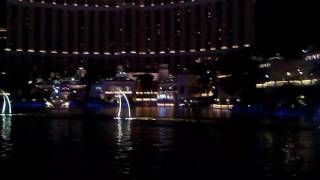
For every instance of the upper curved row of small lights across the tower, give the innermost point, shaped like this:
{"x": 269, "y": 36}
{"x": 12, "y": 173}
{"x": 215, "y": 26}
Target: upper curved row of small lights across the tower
{"x": 109, "y": 3}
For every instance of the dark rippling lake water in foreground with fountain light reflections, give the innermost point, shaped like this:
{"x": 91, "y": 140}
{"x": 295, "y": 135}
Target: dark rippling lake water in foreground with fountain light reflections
{"x": 86, "y": 147}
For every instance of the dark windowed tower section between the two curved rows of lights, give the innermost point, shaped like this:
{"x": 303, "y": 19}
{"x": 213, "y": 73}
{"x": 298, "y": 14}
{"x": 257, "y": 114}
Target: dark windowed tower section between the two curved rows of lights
{"x": 96, "y": 31}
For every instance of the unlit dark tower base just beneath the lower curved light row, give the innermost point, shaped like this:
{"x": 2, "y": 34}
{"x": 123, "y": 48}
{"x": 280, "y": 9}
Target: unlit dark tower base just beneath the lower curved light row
{"x": 33, "y": 63}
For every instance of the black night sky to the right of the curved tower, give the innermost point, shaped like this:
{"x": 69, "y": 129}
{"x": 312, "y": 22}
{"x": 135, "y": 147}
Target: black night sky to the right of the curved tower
{"x": 287, "y": 25}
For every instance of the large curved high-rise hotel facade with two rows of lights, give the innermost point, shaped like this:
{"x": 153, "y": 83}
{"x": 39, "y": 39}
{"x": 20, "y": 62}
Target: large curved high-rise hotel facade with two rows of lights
{"x": 61, "y": 35}
